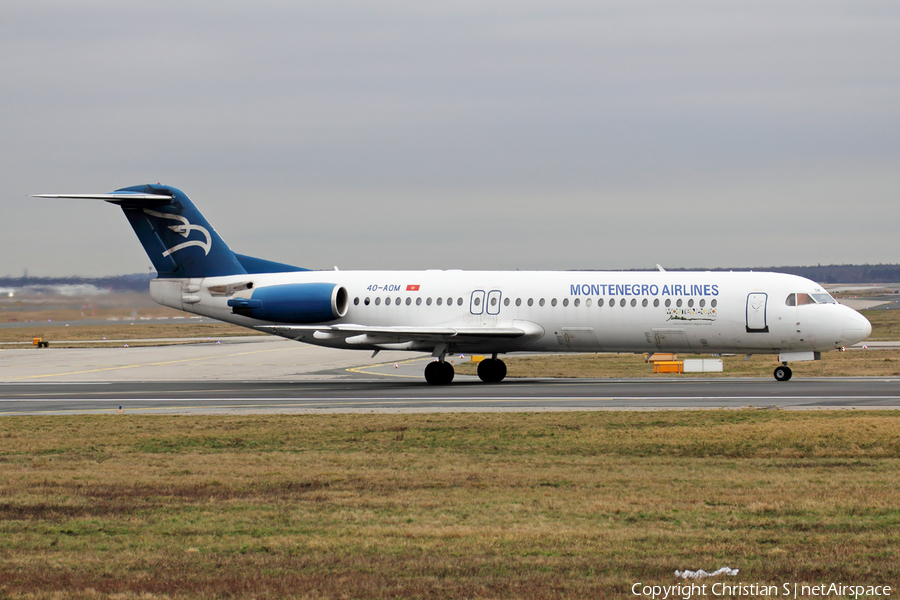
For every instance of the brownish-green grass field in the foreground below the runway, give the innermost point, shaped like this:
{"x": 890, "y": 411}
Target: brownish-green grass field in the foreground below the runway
{"x": 554, "y": 505}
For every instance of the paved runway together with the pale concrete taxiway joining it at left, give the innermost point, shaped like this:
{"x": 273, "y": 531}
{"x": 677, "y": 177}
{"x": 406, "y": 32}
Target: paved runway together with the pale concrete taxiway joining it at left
{"x": 272, "y": 375}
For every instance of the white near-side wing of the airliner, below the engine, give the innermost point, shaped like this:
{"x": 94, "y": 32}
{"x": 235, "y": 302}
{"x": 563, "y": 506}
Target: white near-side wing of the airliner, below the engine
{"x": 365, "y": 335}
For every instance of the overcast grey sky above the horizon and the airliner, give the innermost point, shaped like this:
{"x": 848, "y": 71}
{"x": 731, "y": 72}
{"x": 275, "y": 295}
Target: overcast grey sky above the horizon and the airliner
{"x": 474, "y": 135}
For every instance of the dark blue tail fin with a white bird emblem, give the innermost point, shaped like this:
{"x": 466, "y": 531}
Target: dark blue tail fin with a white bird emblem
{"x": 177, "y": 238}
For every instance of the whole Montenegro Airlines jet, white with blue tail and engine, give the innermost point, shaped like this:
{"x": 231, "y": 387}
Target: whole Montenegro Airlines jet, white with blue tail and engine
{"x": 483, "y": 312}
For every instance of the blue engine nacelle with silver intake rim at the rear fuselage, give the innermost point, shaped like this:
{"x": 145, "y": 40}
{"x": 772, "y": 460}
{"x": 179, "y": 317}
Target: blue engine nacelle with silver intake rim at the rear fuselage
{"x": 294, "y": 303}
